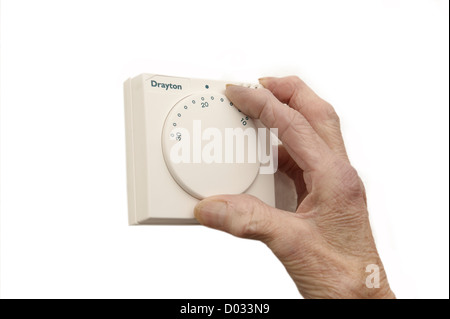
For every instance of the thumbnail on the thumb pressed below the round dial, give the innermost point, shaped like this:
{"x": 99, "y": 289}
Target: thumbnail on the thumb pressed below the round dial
{"x": 211, "y": 213}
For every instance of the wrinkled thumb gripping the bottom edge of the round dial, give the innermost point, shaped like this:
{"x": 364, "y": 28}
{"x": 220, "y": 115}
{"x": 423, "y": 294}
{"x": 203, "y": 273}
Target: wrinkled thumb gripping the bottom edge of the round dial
{"x": 246, "y": 216}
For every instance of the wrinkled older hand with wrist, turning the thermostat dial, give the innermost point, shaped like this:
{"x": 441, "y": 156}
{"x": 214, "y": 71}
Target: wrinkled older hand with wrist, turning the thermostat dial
{"x": 327, "y": 244}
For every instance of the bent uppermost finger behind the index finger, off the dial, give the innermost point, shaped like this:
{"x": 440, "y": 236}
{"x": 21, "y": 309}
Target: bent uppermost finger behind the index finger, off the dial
{"x": 319, "y": 113}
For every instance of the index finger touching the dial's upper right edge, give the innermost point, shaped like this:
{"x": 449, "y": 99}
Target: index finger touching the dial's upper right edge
{"x": 306, "y": 148}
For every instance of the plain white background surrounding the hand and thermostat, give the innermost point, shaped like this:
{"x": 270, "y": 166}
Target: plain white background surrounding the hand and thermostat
{"x": 382, "y": 64}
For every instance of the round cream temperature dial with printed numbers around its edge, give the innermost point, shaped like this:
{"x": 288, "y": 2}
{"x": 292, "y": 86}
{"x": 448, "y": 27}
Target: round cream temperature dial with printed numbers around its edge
{"x": 209, "y": 146}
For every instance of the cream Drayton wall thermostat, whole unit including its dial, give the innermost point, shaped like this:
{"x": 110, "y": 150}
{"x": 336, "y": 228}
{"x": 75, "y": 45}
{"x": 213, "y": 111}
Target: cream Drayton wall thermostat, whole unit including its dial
{"x": 186, "y": 141}
